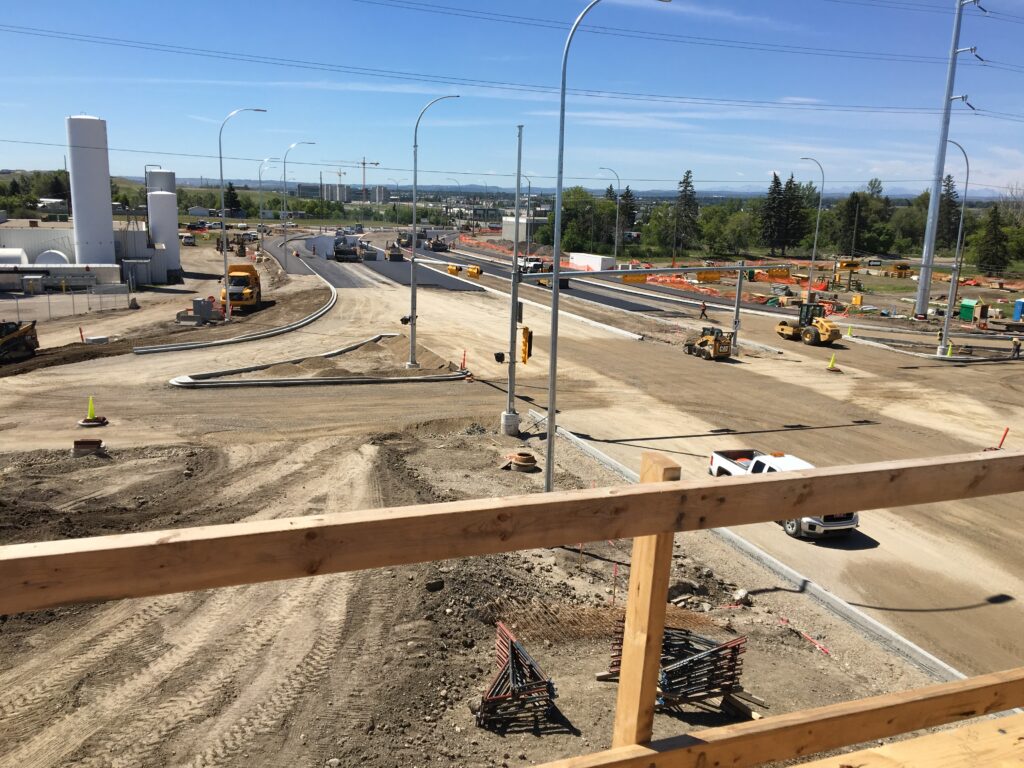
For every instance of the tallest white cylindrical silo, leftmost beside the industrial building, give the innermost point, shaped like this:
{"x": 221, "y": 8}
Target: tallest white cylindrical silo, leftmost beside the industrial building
{"x": 91, "y": 191}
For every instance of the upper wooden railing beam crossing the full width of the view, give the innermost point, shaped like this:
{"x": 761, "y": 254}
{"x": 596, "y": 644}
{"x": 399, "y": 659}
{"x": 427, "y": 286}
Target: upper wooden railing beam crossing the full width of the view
{"x": 51, "y": 574}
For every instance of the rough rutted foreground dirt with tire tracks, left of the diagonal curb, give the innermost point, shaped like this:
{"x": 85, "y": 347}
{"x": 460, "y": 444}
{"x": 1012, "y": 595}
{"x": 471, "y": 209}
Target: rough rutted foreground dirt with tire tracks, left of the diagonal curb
{"x": 377, "y": 668}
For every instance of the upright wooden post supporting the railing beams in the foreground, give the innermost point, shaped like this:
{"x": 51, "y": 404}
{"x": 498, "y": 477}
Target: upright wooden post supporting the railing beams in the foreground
{"x": 645, "y": 620}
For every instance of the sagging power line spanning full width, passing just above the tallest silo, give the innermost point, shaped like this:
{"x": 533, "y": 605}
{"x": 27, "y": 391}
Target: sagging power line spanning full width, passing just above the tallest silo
{"x": 484, "y": 84}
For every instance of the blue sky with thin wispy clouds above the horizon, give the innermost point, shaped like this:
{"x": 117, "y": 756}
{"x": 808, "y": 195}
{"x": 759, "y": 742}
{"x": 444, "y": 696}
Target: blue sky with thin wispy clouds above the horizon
{"x": 163, "y": 102}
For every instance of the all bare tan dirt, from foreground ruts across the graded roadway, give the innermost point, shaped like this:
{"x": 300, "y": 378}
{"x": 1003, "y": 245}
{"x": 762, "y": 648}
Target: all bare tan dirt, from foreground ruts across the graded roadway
{"x": 371, "y": 667}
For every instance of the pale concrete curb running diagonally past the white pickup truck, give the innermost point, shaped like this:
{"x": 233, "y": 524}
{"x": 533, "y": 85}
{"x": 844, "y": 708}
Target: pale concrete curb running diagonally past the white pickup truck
{"x": 874, "y": 629}
